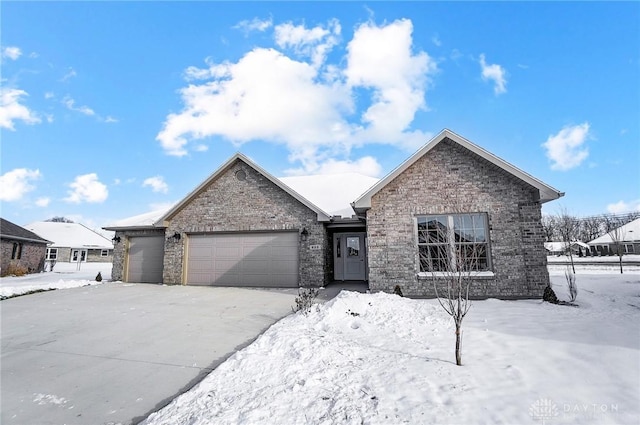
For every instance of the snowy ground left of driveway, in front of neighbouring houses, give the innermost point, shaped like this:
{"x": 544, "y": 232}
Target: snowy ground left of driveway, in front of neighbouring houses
{"x": 64, "y": 275}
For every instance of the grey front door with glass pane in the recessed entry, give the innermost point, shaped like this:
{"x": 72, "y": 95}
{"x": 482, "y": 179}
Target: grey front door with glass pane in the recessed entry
{"x": 349, "y": 256}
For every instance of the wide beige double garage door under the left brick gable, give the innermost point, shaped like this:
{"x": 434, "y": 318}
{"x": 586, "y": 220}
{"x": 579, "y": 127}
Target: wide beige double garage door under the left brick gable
{"x": 243, "y": 259}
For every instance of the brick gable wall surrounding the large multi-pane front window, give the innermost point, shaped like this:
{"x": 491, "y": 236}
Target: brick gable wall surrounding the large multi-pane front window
{"x": 451, "y": 179}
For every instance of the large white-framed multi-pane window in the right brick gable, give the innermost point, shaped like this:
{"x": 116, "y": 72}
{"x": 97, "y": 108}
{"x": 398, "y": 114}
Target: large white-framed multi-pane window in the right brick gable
{"x": 453, "y": 243}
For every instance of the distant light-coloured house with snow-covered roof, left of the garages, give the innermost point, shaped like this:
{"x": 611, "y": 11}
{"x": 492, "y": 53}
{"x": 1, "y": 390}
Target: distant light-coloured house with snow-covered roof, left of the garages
{"x": 73, "y": 242}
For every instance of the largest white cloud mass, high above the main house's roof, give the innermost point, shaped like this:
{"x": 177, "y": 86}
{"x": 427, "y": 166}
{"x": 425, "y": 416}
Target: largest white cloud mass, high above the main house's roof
{"x": 303, "y": 102}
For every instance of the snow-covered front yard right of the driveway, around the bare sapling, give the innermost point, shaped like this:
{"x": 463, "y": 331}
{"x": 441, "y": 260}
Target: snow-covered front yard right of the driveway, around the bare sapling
{"x": 382, "y": 359}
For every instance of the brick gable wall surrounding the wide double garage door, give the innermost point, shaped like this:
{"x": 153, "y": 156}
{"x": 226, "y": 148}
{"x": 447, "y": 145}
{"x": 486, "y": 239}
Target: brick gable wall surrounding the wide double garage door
{"x": 252, "y": 204}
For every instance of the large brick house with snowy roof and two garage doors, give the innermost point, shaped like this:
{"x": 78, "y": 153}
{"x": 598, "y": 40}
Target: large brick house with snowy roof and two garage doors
{"x": 244, "y": 227}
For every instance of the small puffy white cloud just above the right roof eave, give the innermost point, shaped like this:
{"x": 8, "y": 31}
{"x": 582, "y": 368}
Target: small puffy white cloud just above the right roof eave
{"x": 566, "y": 149}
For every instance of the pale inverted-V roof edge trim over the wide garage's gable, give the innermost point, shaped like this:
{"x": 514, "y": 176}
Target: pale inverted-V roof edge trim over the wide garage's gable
{"x": 322, "y": 215}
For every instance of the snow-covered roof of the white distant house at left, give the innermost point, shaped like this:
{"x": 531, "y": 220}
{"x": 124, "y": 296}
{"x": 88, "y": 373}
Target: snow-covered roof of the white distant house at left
{"x": 70, "y": 235}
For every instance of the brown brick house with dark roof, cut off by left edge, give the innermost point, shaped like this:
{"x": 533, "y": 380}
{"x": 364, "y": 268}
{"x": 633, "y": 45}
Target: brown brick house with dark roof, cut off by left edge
{"x": 22, "y": 250}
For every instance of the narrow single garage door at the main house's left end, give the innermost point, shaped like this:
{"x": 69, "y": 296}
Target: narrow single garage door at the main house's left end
{"x": 146, "y": 258}
